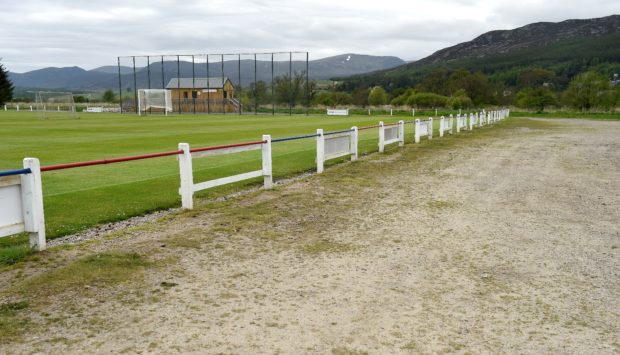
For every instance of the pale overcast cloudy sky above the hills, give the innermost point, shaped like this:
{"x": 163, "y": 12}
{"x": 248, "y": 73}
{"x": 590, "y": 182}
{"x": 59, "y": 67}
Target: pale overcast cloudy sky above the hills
{"x": 62, "y": 33}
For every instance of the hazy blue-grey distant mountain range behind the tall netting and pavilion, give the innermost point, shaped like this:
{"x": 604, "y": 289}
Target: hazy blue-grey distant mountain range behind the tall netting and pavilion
{"x": 106, "y": 77}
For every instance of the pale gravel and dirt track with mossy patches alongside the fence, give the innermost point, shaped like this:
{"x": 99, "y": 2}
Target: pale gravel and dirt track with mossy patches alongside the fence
{"x": 506, "y": 241}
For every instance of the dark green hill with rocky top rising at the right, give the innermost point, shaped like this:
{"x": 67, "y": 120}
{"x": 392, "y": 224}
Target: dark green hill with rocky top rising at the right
{"x": 566, "y": 48}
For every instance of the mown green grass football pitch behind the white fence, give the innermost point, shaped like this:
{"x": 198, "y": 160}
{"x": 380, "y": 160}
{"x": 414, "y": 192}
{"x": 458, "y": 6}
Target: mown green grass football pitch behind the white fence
{"x": 76, "y": 199}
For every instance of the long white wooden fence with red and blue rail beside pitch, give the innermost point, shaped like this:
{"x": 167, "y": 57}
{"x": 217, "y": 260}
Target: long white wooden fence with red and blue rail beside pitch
{"x": 21, "y": 195}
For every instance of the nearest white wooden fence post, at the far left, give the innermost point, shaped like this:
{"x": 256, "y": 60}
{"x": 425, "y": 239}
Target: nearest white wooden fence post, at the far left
{"x": 32, "y": 202}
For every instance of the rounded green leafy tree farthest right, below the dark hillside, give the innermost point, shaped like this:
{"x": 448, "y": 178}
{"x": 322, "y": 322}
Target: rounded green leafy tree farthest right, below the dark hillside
{"x": 589, "y": 90}
